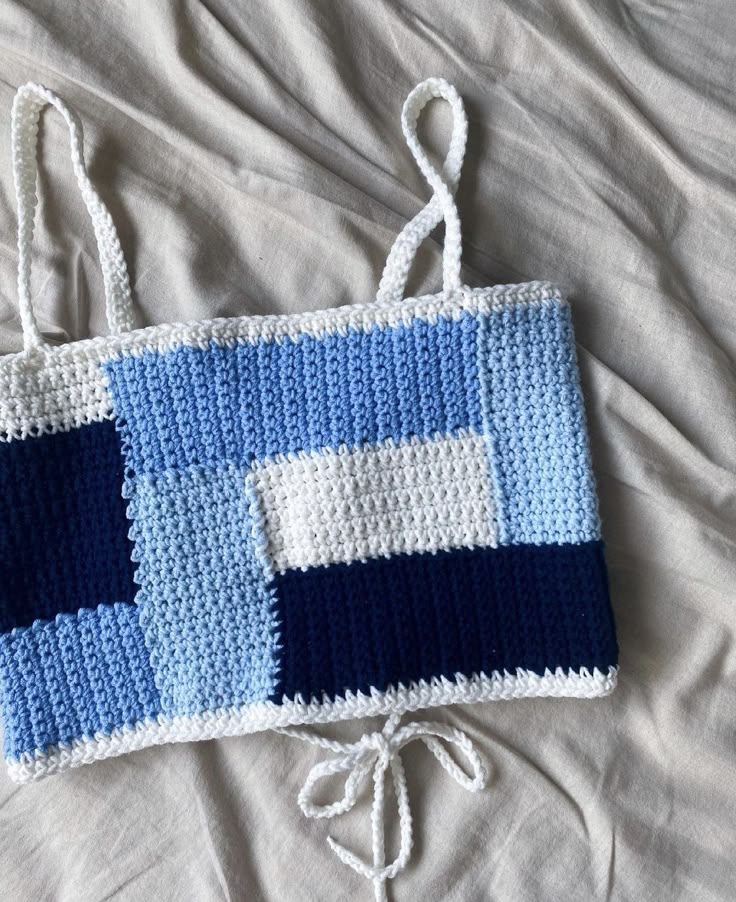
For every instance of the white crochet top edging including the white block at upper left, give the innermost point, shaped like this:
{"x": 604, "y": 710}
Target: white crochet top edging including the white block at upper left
{"x": 51, "y": 389}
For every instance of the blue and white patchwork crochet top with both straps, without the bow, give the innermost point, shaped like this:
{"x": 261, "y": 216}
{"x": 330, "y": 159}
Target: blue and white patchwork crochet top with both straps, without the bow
{"x": 226, "y": 526}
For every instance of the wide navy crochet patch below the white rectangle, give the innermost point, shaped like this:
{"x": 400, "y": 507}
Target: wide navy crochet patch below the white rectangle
{"x": 377, "y": 623}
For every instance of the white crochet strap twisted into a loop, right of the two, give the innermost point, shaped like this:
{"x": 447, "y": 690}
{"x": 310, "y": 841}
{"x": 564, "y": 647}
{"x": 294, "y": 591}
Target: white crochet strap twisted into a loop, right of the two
{"x": 442, "y": 204}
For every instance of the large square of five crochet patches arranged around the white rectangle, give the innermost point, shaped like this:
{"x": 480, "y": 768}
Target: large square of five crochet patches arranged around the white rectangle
{"x": 316, "y": 456}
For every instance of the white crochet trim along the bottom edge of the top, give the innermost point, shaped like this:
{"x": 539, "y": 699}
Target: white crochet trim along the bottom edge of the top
{"x": 268, "y": 715}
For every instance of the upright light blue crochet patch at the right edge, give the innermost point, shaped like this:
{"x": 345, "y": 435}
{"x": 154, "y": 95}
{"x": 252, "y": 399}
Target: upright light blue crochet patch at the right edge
{"x": 534, "y": 419}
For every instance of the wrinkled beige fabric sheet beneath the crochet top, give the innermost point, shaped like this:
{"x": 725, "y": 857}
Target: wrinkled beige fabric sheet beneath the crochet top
{"x": 252, "y": 158}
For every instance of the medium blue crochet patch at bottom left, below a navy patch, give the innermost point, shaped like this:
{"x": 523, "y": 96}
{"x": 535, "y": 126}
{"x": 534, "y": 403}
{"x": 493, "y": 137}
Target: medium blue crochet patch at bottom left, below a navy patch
{"x": 74, "y": 676}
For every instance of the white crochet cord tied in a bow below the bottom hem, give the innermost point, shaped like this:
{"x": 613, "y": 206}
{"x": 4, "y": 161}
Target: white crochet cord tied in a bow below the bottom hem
{"x": 380, "y": 752}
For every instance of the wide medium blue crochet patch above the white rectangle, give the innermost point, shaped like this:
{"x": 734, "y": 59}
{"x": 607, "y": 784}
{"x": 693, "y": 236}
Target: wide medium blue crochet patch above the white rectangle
{"x": 192, "y": 406}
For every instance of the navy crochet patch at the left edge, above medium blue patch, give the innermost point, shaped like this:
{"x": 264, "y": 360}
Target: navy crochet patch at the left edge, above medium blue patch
{"x": 63, "y": 530}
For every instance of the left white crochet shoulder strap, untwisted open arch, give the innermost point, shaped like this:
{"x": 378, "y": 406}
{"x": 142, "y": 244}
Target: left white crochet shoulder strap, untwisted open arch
{"x": 29, "y": 101}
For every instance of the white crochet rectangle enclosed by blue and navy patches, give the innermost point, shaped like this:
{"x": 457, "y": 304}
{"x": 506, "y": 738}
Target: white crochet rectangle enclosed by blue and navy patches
{"x": 347, "y": 505}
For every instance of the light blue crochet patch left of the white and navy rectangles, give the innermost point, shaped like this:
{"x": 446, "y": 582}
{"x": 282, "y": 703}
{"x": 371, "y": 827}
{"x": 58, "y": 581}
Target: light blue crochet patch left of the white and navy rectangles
{"x": 205, "y": 608}
